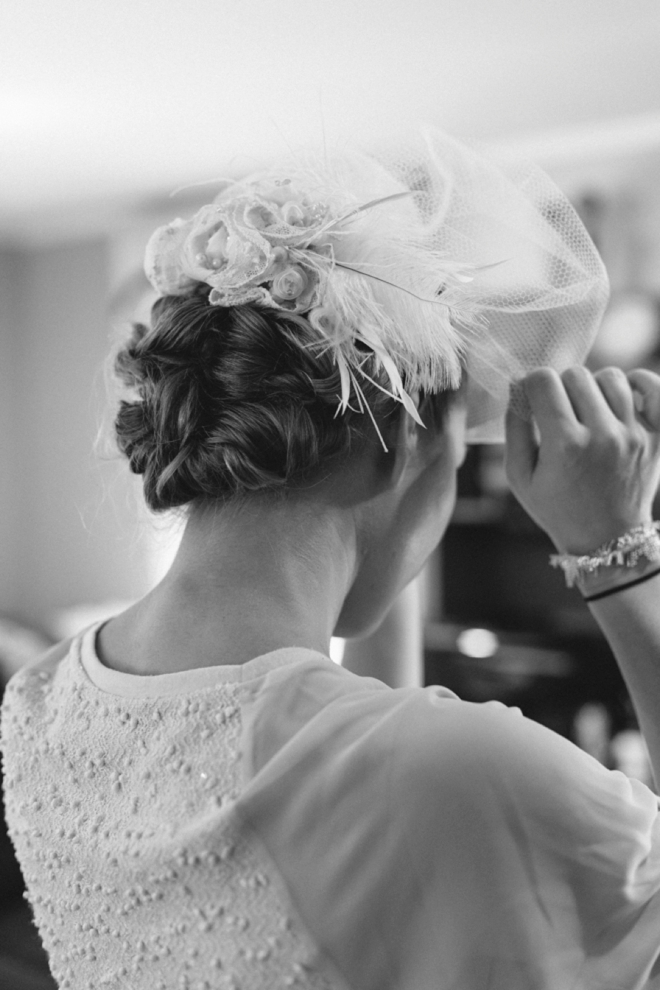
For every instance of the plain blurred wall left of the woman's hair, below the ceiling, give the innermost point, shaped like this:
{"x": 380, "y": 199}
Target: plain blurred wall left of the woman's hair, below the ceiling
{"x": 68, "y": 529}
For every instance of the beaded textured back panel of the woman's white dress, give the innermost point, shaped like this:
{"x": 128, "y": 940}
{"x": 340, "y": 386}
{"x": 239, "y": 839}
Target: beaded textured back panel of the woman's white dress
{"x": 139, "y": 871}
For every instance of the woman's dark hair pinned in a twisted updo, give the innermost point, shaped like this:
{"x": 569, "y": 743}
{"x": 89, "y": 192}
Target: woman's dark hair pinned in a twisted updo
{"x": 231, "y": 400}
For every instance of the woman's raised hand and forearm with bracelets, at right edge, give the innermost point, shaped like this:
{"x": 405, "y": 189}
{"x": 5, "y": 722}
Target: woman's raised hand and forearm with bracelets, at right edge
{"x": 587, "y": 469}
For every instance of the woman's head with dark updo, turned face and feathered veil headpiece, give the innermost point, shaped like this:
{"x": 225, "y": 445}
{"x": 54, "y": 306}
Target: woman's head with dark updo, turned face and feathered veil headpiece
{"x": 306, "y": 310}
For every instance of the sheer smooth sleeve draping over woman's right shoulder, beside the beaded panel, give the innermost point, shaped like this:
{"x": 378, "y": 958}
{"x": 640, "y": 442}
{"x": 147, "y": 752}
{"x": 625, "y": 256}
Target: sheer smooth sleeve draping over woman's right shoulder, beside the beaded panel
{"x": 431, "y": 842}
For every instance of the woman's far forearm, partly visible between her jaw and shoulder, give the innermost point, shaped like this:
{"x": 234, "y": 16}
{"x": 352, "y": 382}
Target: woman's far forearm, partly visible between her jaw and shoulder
{"x": 394, "y": 653}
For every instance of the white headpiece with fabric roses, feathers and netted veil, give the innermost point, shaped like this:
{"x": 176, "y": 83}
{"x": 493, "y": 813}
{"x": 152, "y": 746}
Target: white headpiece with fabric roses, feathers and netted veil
{"x": 423, "y": 256}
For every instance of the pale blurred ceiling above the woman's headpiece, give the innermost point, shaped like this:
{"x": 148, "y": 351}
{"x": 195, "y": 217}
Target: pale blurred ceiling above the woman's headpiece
{"x": 108, "y": 105}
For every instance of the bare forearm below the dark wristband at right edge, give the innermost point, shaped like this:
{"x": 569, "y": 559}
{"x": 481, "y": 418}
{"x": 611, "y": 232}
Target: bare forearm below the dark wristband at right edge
{"x": 630, "y": 620}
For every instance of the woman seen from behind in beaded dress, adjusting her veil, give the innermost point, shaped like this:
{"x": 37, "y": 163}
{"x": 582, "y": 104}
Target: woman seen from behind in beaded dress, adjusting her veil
{"x": 197, "y": 795}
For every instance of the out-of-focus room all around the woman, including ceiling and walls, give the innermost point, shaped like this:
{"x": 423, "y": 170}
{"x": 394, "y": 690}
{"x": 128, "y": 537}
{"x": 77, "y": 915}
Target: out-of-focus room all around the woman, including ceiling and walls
{"x": 107, "y": 108}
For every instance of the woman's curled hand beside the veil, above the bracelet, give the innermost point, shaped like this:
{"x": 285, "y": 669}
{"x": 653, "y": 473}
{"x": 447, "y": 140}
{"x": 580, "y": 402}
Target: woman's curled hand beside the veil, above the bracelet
{"x": 591, "y": 471}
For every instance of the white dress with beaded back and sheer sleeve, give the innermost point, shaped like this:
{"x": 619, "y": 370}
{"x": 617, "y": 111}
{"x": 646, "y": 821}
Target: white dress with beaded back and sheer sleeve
{"x": 285, "y": 823}
